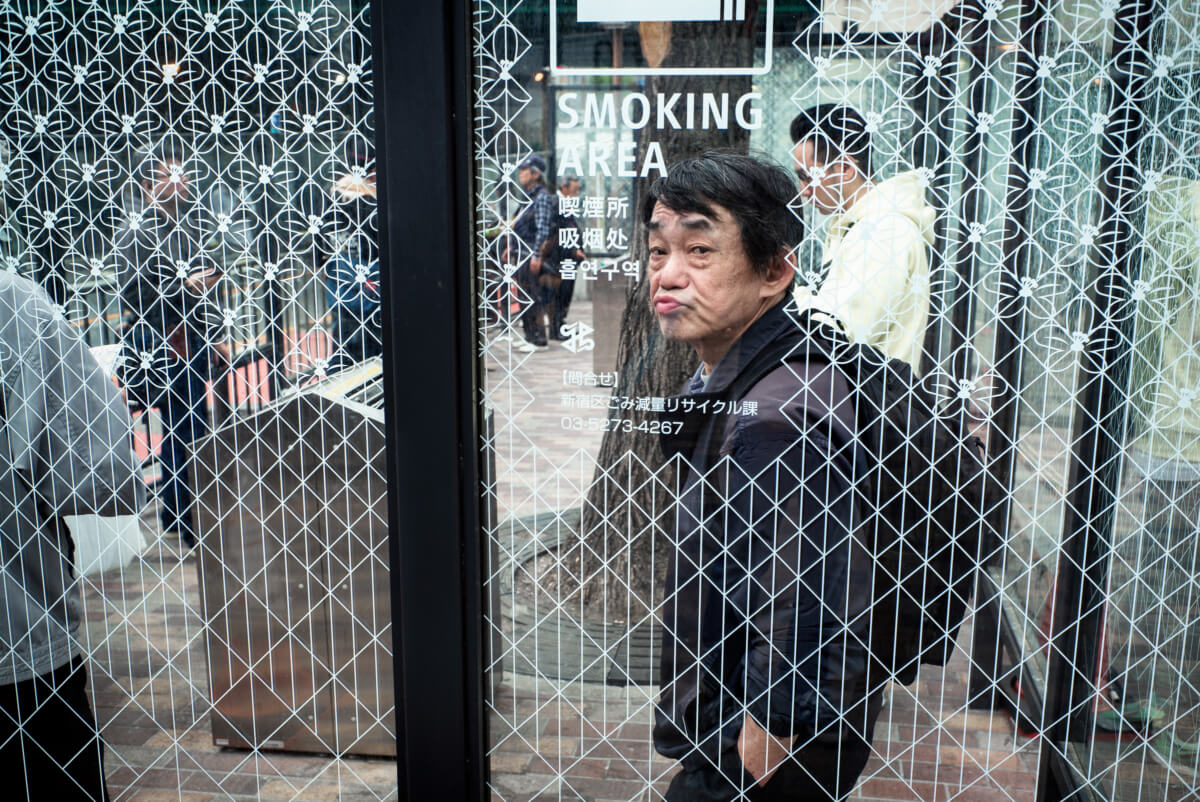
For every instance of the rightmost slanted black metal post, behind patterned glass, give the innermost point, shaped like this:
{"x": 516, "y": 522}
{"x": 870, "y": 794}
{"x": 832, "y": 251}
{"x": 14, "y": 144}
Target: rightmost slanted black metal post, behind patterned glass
{"x": 1084, "y": 560}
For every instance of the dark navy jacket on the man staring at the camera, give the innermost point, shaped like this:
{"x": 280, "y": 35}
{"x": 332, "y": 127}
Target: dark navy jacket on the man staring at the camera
{"x": 770, "y": 588}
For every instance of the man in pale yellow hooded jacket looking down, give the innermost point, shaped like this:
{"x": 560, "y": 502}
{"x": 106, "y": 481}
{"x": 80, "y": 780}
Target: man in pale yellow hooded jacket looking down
{"x": 877, "y": 253}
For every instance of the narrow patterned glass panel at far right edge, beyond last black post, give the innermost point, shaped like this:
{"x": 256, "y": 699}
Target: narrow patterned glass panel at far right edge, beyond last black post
{"x": 1149, "y": 659}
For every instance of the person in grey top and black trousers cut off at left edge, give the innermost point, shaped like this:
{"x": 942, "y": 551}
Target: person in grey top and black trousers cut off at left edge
{"x": 65, "y": 450}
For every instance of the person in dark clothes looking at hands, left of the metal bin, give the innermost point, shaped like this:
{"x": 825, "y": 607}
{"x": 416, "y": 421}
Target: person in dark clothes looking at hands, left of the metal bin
{"x": 171, "y": 348}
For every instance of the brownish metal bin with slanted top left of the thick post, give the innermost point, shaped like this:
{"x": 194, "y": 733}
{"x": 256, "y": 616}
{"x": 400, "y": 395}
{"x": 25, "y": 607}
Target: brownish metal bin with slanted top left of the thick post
{"x": 293, "y": 559}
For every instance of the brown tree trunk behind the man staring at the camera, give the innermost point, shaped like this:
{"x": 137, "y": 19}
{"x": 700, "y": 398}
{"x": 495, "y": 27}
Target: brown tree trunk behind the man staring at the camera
{"x": 628, "y": 517}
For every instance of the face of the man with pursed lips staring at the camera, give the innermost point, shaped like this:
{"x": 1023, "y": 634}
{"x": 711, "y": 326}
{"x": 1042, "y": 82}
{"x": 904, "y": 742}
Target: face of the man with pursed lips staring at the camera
{"x": 704, "y": 290}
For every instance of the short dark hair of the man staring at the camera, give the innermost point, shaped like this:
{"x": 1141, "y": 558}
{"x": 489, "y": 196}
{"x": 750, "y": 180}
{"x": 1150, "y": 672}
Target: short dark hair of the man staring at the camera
{"x": 757, "y": 193}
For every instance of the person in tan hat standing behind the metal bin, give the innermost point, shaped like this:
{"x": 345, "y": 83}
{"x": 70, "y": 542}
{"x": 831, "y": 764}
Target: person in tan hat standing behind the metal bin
{"x": 352, "y": 265}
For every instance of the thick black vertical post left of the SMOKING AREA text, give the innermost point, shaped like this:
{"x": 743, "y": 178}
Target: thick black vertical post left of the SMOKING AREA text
{"x": 423, "y": 80}
